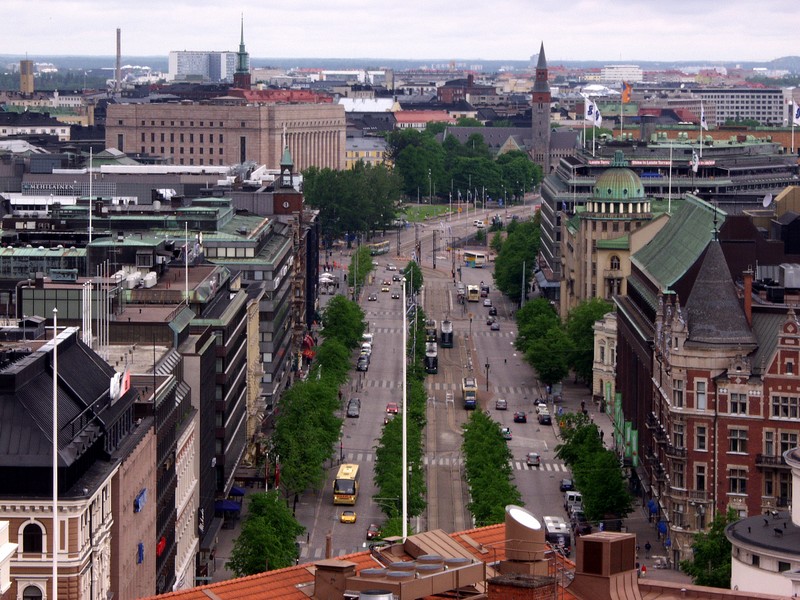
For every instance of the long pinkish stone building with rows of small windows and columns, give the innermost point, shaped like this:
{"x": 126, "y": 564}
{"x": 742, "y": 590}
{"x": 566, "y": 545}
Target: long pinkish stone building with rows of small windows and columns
{"x": 218, "y": 133}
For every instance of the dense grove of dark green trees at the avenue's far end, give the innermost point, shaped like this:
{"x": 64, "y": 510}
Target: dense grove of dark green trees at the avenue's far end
{"x": 364, "y": 199}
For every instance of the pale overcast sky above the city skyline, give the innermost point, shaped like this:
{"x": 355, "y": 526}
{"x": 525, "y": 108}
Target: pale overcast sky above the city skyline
{"x": 705, "y": 31}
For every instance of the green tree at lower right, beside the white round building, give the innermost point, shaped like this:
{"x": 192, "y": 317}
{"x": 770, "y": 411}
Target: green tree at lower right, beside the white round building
{"x": 711, "y": 562}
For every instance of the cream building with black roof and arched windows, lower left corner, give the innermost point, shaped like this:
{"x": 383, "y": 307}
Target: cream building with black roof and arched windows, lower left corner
{"x": 98, "y": 437}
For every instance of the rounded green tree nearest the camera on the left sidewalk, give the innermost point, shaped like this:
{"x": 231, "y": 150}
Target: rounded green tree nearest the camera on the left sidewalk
{"x": 268, "y": 536}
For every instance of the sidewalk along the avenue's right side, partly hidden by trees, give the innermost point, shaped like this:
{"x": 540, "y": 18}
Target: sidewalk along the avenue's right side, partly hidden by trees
{"x": 572, "y": 395}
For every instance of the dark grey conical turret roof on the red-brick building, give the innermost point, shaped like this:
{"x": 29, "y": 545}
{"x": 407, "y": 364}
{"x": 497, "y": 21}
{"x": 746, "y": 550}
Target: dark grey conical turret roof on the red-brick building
{"x": 715, "y": 316}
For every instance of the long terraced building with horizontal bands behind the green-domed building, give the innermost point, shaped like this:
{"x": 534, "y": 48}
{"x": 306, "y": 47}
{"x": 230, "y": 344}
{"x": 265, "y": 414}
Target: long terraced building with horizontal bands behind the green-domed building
{"x": 736, "y": 172}
